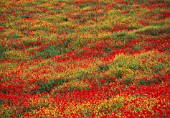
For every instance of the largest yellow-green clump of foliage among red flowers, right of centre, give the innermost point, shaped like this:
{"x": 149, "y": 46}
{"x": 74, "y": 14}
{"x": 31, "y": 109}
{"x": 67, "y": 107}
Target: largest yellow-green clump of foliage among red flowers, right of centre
{"x": 130, "y": 68}
